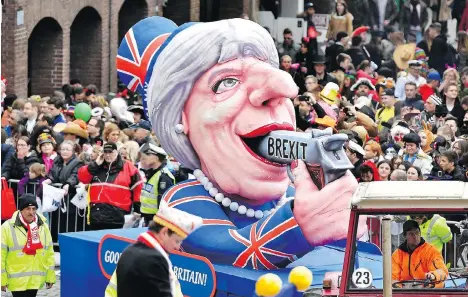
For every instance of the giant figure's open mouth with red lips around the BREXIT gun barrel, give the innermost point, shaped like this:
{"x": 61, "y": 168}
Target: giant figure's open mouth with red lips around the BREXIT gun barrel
{"x": 252, "y": 140}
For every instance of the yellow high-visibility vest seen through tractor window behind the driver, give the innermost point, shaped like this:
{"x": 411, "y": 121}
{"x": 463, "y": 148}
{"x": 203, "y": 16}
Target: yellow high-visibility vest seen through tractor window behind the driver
{"x": 436, "y": 232}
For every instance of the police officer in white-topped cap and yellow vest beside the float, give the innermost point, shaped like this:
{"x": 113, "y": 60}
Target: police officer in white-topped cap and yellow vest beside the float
{"x": 158, "y": 179}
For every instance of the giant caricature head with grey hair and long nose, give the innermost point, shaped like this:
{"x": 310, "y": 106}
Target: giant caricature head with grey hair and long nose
{"x": 225, "y": 88}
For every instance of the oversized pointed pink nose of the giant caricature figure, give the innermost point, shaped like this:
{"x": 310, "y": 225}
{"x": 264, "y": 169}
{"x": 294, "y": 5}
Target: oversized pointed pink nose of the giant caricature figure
{"x": 272, "y": 86}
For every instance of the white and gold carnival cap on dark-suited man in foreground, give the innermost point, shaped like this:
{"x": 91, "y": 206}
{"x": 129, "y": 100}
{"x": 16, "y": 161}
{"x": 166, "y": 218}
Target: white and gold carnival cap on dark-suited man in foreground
{"x": 180, "y": 222}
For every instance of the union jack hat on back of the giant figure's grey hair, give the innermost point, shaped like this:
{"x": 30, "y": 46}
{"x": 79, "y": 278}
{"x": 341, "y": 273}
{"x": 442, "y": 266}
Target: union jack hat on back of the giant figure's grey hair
{"x": 139, "y": 50}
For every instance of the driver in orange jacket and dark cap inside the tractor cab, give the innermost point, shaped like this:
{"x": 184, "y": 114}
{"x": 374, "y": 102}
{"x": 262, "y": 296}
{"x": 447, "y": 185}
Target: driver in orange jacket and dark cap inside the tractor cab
{"x": 423, "y": 260}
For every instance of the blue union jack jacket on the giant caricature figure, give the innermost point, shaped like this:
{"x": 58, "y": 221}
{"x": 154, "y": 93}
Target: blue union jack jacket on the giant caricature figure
{"x": 229, "y": 238}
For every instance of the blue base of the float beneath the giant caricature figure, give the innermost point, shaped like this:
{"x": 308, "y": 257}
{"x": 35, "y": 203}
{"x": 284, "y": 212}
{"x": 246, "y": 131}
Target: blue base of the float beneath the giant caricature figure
{"x": 81, "y": 274}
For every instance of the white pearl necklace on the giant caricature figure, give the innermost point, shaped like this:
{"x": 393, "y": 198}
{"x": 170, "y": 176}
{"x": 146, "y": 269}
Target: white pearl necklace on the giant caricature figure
{"x": 234, "y": 206}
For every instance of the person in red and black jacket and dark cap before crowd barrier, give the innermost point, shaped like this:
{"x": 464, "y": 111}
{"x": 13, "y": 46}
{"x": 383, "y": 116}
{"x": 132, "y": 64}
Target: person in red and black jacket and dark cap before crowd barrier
{"x": 115, "y": 185}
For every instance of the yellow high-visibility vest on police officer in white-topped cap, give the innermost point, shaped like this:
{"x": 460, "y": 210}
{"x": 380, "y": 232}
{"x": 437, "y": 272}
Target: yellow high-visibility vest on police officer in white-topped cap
{"x": 149, "y": 193}
